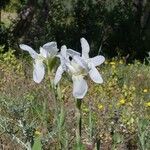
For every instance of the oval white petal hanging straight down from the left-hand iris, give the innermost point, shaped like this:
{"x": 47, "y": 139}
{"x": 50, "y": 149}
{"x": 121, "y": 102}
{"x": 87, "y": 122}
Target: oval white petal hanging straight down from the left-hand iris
{"x": 39, "y": 71}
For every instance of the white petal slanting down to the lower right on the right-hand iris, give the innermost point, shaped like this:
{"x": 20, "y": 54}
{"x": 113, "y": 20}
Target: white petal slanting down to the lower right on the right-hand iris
{"x": 95, "y": 75}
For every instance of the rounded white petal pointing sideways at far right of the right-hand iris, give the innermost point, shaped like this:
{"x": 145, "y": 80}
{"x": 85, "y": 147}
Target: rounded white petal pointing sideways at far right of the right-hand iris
{"x": 98, "y": 60}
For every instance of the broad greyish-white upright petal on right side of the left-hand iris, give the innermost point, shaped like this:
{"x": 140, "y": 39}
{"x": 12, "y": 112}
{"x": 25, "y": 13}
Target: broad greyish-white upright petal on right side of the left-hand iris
{"x": 51, "y": 48}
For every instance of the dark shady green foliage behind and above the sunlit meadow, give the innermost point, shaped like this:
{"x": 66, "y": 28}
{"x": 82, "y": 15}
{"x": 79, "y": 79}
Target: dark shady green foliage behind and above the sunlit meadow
{"x": 113, "y": 27}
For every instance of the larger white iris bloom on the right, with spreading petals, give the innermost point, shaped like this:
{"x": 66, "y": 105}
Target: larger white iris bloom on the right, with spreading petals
{"x": 79, "y": 67}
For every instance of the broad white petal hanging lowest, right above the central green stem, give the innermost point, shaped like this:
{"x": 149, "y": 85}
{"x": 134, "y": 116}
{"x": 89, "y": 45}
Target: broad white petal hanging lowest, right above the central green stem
{"x": 80, "y": 87}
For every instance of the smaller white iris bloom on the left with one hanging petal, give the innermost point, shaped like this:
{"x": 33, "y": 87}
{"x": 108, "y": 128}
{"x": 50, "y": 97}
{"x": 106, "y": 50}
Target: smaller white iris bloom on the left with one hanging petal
{"x": 48, "y": 50}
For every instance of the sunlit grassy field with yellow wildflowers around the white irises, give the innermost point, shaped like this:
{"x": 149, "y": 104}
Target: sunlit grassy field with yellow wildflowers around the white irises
{"x": 115, "y": 114}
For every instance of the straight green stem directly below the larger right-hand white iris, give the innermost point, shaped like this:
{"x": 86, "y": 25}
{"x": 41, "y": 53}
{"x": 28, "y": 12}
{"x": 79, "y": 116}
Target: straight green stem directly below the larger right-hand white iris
{"x": 79, "y": 123}
